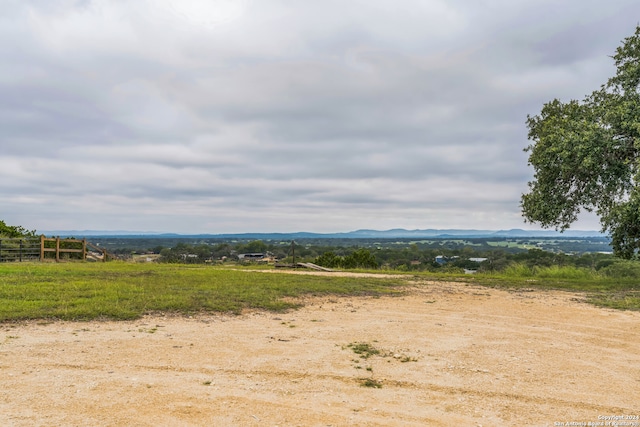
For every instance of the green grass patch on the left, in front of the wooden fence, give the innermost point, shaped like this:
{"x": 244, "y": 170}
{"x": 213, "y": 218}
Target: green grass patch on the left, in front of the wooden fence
{"x": 117, "y": 290}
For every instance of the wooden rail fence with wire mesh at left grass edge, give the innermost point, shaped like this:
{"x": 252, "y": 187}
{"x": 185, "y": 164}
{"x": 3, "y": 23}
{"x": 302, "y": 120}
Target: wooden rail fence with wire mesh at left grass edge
{"x": 49, "y": 249}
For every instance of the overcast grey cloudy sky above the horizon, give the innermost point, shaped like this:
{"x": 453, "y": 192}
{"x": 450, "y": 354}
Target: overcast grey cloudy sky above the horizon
{"x": 232, "y": 116}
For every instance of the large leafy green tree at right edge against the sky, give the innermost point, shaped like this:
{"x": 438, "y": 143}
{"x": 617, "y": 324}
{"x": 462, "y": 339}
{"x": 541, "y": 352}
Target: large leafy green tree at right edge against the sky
{"x": 586, "y": 155}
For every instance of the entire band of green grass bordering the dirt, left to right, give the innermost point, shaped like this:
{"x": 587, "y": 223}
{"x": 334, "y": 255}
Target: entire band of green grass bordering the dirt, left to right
{"x": 117, "y": 290}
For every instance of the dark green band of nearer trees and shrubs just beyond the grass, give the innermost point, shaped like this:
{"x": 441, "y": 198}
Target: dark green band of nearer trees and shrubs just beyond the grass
{"x": 410, "y": 258}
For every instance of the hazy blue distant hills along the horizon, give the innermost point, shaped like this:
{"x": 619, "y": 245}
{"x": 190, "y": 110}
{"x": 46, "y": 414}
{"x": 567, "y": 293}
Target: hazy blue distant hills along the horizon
{"x": 397, "y": 233}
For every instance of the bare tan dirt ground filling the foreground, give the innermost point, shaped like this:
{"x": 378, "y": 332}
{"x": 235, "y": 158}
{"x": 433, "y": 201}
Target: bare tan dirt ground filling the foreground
{"x": 452, "y": 354}
